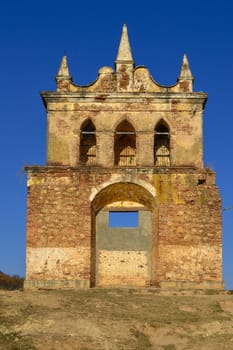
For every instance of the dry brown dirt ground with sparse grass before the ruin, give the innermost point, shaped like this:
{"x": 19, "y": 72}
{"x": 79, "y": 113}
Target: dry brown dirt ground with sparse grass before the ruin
{"x": 116, "y": 319}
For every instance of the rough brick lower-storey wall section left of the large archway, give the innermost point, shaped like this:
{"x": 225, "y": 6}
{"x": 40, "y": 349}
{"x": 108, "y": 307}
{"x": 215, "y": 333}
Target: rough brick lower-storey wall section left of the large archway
{"x": 58, "y": 244}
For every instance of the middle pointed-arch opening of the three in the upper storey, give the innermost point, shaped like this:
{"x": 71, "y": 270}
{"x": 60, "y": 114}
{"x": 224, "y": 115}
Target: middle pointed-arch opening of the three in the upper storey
{"x": 125, "y": 144}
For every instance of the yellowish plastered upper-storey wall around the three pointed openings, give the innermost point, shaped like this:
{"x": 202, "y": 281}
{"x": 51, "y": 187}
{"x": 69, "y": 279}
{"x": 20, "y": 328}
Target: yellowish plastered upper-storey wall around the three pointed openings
{"x": 183, "y": 114}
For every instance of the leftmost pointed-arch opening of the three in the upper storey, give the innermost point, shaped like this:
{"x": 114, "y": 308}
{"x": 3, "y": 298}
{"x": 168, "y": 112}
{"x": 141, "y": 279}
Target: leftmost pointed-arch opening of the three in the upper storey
{"x": 88, "y": 143}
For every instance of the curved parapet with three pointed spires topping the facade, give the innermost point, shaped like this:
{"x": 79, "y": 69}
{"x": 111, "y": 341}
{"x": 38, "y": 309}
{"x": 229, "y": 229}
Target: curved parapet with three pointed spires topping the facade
{"x": 125, "y": 77}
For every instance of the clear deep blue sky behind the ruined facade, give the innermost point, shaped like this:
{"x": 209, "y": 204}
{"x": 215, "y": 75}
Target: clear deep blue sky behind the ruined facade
{"x": 35, "y": 34}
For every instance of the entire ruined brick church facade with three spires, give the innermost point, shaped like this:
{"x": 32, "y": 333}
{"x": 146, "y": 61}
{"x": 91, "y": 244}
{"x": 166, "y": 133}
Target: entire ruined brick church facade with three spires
{"x": 121, "y": 145}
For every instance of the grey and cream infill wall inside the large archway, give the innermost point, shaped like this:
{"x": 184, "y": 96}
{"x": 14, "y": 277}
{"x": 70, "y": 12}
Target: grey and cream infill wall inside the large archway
{"x": 123, "y": 255}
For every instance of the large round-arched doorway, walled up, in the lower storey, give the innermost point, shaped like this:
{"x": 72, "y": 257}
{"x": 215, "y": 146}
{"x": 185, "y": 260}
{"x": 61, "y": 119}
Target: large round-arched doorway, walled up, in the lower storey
{"x": 123, "y": 256}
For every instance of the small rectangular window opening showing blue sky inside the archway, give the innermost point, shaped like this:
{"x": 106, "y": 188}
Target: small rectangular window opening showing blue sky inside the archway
{"x": 123, "y": 219}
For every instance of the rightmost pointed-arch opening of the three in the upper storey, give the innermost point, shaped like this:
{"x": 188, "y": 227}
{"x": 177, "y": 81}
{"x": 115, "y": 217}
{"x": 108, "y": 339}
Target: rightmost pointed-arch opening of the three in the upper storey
{"x": 162, "y": 145}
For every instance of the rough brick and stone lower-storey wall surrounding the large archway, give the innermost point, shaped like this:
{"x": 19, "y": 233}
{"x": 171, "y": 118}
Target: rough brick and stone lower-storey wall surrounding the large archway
{"x": 185, "y": 221}
